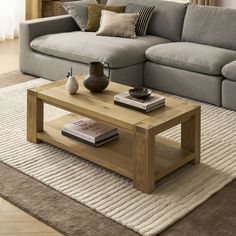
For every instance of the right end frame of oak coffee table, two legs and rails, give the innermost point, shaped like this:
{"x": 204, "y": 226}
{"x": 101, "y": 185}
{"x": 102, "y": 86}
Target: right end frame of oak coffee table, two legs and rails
{"x": 144, "y": 136}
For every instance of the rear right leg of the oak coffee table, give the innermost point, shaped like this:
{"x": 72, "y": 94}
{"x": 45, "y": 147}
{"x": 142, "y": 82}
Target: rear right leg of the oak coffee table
{"x": 190, "y": 135}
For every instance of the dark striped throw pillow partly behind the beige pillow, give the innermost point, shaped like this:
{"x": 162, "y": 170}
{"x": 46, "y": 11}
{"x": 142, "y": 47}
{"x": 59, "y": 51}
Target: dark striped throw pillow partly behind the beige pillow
{"x": 145, "y": 14}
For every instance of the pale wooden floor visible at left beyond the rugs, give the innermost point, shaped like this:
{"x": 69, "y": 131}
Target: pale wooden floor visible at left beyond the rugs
{"x": 13, "y": 221}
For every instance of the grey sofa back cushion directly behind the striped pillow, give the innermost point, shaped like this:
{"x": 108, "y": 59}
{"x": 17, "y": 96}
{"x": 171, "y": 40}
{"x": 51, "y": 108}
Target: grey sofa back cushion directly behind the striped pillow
{"x": 167, "y": 20}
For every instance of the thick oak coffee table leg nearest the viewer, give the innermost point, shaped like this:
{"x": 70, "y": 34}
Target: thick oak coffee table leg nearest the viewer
{"x": 144, "y": 166}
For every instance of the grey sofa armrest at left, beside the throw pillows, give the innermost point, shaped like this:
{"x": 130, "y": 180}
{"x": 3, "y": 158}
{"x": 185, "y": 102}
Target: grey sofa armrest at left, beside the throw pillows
{"x": 51, "y": 25}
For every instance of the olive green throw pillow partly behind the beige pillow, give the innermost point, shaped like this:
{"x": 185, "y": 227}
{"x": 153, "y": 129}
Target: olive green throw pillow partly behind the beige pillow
{"x": 94, "y": 15}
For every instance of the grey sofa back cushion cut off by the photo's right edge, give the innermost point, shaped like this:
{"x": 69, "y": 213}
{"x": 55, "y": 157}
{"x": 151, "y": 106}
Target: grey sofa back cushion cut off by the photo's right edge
{"x": 213, "y": 26}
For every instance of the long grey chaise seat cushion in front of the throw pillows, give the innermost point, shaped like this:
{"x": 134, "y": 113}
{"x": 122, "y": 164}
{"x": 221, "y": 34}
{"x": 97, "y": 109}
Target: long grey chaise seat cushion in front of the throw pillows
{"x": 85, "y": 47}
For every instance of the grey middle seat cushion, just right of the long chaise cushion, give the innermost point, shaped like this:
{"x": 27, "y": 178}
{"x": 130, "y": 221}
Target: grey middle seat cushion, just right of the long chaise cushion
{"x": 192, "y": 57}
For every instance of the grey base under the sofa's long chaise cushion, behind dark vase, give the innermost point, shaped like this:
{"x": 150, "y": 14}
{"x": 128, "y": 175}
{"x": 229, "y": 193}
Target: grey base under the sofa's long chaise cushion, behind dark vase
{"x": 54, "y": 68}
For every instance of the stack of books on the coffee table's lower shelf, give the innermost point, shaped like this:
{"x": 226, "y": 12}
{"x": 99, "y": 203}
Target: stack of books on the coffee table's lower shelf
{"x": 90, "y": 132}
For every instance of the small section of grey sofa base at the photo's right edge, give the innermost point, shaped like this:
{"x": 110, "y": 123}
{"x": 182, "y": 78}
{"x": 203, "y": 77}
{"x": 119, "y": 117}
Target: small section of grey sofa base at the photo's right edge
{"x": 229, "y": 94}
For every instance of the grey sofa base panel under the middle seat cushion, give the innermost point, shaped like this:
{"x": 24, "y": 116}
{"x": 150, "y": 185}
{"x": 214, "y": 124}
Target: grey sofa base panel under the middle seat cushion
{"x": 202, "y": 87}
